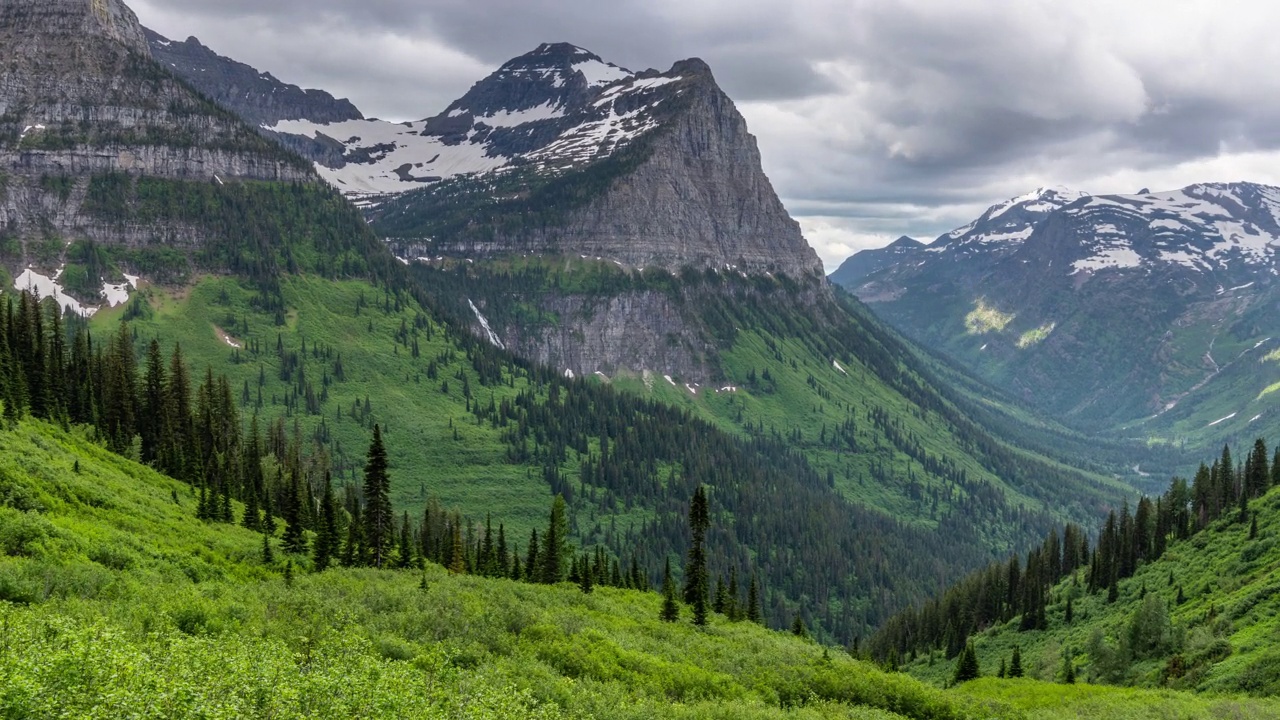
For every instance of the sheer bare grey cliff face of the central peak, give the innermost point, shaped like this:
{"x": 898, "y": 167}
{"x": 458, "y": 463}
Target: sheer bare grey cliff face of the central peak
{"x": 700, "y": 198}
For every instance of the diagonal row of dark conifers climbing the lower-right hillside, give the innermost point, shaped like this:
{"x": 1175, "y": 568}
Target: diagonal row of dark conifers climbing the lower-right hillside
{"x": 1021, "y": 589}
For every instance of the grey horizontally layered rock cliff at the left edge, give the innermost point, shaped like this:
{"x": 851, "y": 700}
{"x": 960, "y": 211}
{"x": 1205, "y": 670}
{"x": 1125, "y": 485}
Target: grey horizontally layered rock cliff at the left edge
{"x": 83, "y": 101}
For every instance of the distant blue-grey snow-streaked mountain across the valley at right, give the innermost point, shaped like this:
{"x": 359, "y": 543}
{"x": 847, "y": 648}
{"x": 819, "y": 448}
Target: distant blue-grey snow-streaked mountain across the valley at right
{"x": 1153, "y": 309}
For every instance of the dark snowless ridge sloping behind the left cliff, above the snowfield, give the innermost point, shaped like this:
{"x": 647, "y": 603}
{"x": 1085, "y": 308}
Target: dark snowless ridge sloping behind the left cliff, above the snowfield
{"x": 259, "y": 98}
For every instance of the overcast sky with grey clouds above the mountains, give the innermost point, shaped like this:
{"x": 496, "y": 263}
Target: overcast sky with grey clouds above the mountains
{"x": 875, "y": 119}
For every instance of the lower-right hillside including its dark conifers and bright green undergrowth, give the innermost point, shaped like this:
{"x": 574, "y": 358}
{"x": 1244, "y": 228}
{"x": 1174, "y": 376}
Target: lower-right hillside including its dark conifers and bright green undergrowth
{"x": 1182, "y": 595}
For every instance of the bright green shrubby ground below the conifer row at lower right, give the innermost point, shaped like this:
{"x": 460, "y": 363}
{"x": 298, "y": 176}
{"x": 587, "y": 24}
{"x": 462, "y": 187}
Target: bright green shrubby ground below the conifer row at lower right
{"x": 1203, "y": 617}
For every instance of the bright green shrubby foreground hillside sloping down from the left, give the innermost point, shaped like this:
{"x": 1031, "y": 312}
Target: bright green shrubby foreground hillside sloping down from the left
{"x": 115, "y": 600}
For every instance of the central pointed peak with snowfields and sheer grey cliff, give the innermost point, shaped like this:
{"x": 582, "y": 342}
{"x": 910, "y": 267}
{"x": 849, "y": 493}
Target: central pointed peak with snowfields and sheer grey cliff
{"x": 560, "y": 153}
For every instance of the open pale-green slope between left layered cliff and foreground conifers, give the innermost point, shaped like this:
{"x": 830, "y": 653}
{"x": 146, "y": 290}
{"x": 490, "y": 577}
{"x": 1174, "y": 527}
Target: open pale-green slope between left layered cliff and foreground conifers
{"x": 419, "y": 421}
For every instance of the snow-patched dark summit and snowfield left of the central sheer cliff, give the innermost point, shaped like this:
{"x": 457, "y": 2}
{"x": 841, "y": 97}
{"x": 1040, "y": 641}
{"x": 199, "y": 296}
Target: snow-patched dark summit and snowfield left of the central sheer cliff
{"x": 554, "y": 110}
